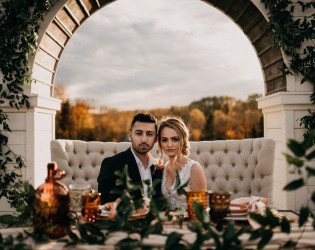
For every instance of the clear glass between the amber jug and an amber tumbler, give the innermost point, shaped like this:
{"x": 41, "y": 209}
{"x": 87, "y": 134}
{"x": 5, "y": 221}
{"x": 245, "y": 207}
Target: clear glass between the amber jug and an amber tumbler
{"x": 76, "y": 192}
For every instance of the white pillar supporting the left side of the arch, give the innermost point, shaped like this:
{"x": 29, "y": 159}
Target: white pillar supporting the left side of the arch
{"x": 32, "y": 131}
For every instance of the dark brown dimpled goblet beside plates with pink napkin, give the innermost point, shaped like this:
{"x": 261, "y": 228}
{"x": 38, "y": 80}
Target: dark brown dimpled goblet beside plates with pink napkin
{"x": 219, "y": 207}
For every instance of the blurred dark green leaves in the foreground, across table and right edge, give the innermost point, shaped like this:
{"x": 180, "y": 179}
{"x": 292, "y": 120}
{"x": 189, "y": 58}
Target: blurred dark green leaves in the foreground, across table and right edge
{"x": 203, "y": 228}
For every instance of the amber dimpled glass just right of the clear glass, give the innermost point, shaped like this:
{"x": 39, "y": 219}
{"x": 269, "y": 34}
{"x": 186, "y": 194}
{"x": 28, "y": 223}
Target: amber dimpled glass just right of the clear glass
{"x": 91, "y": 205}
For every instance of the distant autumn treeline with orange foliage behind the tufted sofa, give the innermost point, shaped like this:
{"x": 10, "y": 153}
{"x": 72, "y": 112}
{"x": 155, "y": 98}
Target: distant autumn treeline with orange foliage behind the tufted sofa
{"x": 211, "y": 118}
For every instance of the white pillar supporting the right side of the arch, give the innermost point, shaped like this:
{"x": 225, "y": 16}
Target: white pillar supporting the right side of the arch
{"x": 282, "y": 113}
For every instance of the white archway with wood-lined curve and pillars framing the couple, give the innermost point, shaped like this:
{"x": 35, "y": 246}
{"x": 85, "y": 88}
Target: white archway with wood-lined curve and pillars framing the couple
{"x": 285, "y": 101}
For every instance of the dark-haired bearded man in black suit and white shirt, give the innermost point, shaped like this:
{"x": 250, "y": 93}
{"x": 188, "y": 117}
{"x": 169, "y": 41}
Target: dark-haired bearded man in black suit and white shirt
{"x": 142, "y": 134}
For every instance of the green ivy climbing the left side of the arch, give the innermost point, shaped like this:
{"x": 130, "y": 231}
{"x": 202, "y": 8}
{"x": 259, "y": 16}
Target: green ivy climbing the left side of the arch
{"x": 19, "y": 24}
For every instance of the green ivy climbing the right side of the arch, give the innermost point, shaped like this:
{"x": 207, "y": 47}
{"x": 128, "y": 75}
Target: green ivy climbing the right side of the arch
{"x": 289, "y": 34}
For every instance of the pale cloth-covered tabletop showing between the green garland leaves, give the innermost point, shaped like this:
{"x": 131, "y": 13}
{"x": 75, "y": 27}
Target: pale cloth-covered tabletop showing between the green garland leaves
{"x": 307, "y": 240}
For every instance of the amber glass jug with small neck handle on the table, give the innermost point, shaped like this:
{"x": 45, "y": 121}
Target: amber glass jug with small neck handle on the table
{"x": 51, "y": 205}
